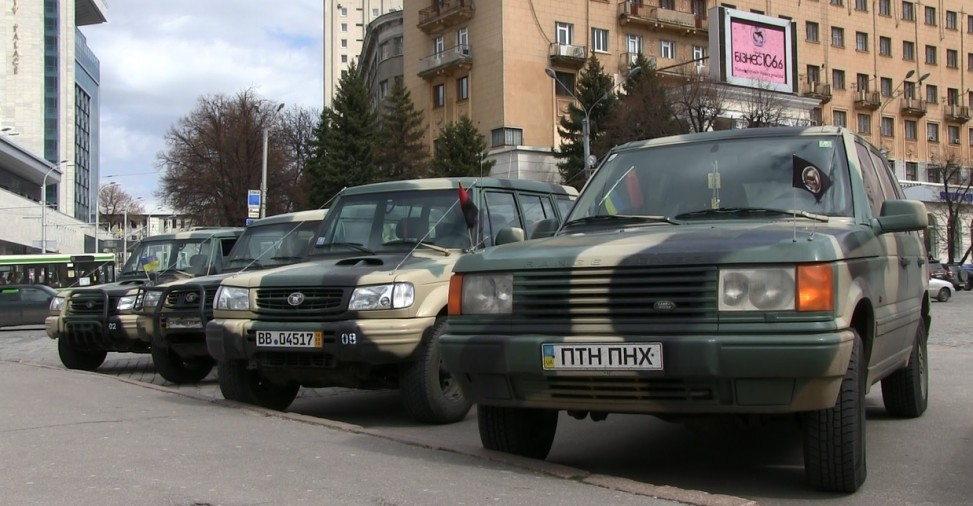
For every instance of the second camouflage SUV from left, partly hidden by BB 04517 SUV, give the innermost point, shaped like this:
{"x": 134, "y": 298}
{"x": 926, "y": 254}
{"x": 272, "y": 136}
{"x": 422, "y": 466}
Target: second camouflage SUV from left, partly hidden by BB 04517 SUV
{"x": 172, "y": 316}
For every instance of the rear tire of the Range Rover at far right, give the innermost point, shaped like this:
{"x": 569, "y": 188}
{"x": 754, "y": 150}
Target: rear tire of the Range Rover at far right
{"x": 905, "y": 392}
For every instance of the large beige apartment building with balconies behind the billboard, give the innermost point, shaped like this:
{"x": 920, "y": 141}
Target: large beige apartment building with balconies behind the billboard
{"x": 899, "y": 72}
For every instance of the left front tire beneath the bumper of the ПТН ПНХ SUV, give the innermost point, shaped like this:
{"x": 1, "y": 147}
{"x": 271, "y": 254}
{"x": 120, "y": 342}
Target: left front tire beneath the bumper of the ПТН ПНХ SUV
{"x": 520, "y": 431}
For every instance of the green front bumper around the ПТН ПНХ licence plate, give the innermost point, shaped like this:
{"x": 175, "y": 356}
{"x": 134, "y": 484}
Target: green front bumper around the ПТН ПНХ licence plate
{"x": 701, "y": 374}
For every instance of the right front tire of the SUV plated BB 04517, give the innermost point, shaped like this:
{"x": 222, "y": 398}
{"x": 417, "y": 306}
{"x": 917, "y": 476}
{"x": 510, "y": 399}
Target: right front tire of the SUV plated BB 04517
{"x": 429, "y": 392}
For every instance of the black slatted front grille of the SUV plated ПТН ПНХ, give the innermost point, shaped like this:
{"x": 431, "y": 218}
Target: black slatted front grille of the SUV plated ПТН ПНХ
{"x": 620, "y": 294}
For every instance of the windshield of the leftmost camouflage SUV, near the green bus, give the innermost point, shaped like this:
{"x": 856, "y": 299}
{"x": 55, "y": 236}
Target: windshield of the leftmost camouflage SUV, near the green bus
{"x": 189, "y": 255}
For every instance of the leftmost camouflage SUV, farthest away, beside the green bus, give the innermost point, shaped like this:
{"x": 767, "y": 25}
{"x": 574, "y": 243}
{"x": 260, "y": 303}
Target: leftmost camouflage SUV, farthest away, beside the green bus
{"x": 89, "y": 322}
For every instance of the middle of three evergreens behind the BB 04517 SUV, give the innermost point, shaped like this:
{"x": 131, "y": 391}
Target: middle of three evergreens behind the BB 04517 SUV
{"x": 402, "y": 154}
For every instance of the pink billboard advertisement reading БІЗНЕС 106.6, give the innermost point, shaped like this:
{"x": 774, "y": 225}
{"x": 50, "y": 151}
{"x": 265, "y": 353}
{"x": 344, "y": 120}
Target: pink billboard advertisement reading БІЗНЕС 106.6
{"x": 758, "y": 51}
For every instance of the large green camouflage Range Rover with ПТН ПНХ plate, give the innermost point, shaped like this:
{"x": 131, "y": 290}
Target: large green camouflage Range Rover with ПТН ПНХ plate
{"x": 758, "y": 273}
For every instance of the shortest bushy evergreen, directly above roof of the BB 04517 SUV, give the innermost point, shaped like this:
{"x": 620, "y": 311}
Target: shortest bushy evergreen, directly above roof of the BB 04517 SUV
{"x": 460, "y": 151}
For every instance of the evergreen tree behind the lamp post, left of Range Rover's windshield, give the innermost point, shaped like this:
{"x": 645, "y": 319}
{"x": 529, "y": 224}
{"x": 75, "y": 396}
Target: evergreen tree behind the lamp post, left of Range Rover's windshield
{"x": 595, "y": 94}
